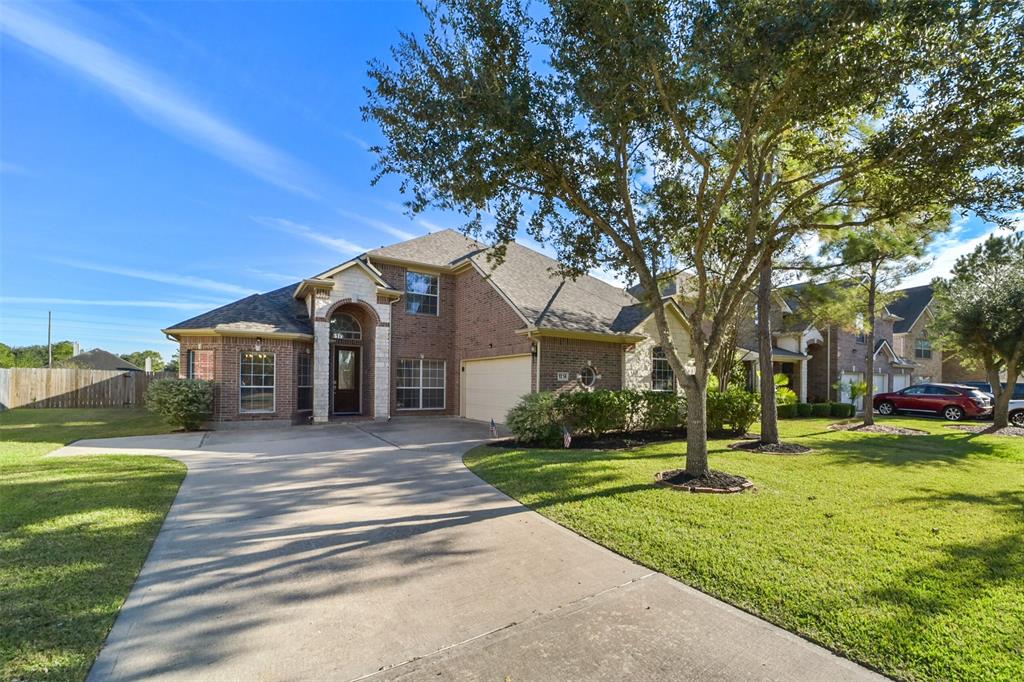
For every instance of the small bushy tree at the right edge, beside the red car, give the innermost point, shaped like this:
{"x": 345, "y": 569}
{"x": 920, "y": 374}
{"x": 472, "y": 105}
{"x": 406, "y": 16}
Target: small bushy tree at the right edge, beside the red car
{"x": 980, "y": 314}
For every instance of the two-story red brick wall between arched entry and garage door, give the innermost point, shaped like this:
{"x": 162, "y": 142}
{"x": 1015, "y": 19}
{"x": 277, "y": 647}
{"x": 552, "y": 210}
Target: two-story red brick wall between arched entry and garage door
{"x": 430, "y": 336}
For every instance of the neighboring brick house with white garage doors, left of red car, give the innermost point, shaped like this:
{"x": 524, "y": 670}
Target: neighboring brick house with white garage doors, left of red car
{"x": 816, "y": 360}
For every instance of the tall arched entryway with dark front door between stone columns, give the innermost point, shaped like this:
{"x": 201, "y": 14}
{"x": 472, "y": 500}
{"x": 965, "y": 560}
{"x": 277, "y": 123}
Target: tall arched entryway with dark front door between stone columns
{"x": 353, "y": 327}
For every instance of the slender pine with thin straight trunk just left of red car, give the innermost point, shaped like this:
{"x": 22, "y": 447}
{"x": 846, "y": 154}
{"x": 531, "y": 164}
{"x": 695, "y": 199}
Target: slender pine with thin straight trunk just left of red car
{"x": 874, "y": 261}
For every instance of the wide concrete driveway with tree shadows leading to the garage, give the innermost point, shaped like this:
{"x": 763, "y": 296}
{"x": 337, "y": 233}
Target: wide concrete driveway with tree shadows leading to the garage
{"x": 369, "y": 550}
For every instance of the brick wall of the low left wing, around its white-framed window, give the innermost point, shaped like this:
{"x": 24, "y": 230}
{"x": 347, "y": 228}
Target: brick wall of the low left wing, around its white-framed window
{"x": 226, "y": 371}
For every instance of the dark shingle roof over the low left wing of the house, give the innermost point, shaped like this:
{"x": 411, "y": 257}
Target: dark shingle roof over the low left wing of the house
{"x": 274, "y": 312}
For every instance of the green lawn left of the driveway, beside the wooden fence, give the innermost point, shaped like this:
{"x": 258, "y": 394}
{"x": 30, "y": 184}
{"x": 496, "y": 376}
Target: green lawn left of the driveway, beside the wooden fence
{"x": 74, "y": 534}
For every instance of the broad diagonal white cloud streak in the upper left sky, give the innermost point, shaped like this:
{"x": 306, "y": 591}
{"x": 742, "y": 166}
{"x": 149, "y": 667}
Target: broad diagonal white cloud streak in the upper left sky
{"x": 146, "y": 93}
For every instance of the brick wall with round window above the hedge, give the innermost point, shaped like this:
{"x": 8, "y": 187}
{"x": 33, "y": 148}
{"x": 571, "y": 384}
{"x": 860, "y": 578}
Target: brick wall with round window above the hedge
{"x": 572, "y": 355}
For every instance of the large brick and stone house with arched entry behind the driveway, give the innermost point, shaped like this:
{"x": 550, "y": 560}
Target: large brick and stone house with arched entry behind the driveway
{"x": 424, "y": 327}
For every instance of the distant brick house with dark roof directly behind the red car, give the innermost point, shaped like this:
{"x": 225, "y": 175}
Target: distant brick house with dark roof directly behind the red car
{"x": 911, "y": 334}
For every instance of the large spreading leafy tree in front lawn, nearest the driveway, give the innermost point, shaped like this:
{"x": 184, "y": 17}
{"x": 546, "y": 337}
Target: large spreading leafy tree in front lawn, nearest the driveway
{"x": 644, "y": 137}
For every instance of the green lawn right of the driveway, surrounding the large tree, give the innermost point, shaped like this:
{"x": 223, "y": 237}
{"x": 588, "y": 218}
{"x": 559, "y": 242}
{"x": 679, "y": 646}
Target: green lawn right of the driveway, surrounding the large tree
{"x": 904, "y": 553}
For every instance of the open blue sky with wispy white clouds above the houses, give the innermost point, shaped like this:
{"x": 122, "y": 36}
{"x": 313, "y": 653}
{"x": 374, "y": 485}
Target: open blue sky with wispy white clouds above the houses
{"x": 158, "y": 160}
